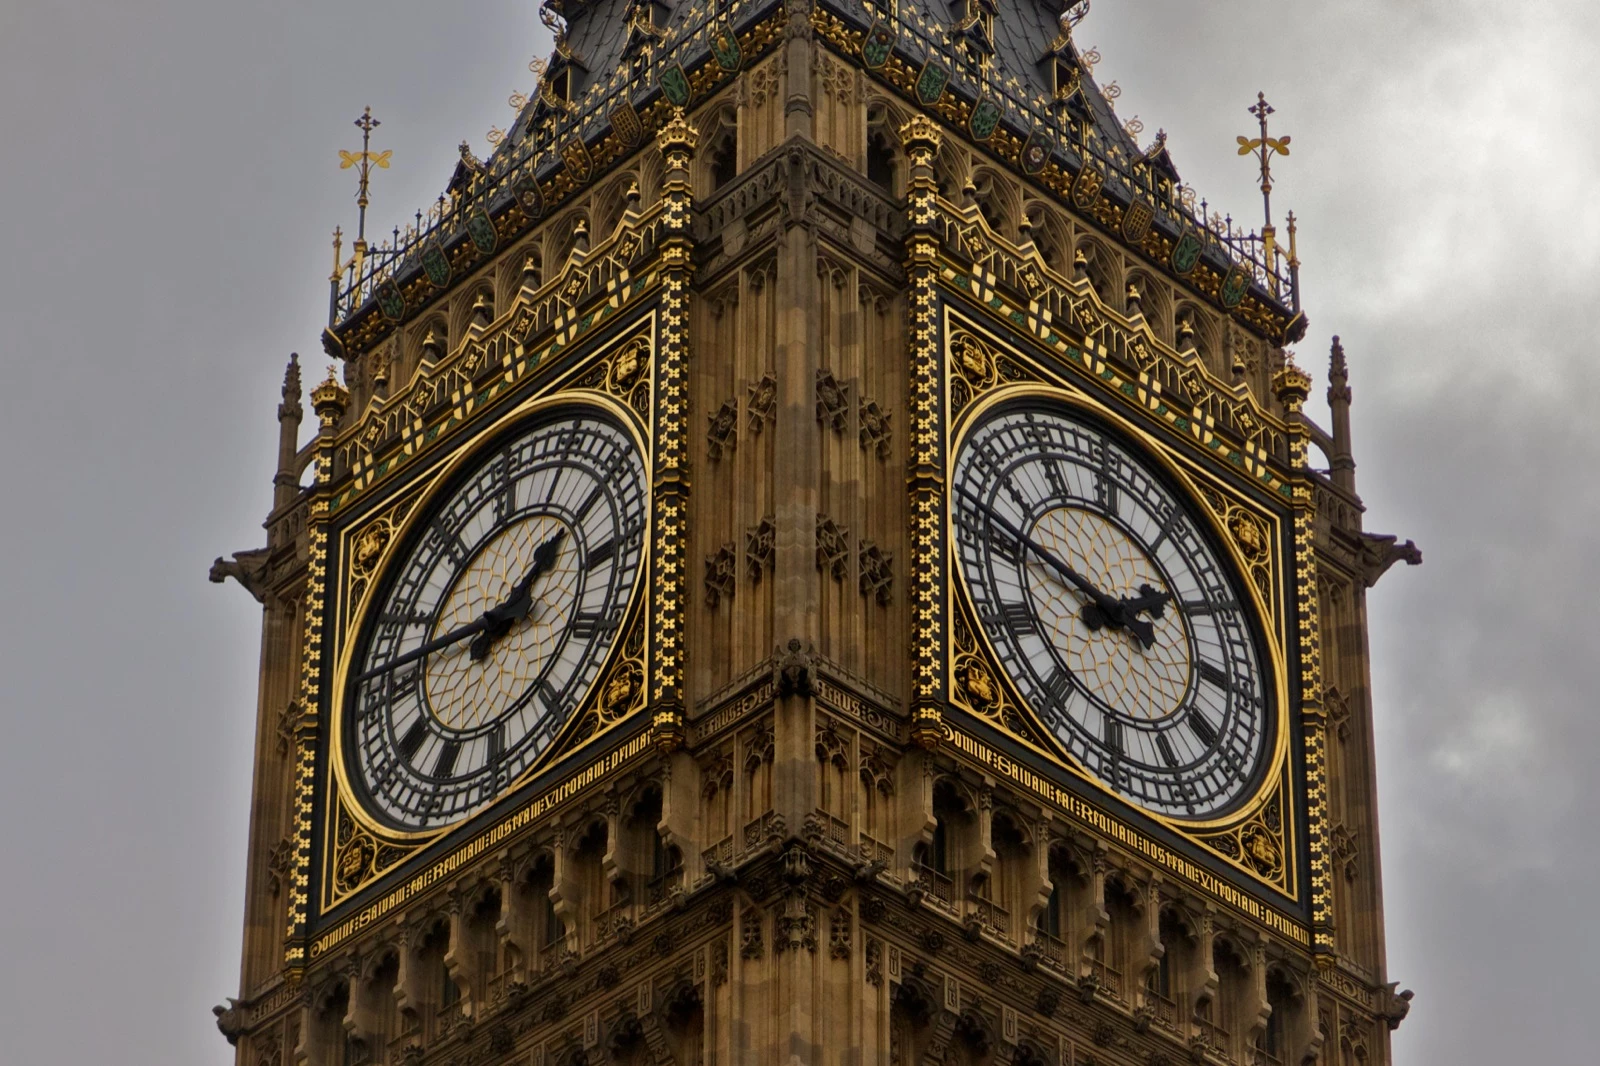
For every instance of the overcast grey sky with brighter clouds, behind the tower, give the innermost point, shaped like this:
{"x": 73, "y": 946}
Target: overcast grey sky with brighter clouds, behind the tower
{"x": 170, "y": 178}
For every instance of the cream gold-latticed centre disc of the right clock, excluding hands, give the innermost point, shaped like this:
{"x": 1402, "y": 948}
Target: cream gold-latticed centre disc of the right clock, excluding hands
{"x": 1140, "y": 683}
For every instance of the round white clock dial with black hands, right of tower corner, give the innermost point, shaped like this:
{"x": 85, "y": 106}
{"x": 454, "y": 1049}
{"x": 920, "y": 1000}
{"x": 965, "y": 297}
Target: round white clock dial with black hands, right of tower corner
{"x": 1110, "y": 609}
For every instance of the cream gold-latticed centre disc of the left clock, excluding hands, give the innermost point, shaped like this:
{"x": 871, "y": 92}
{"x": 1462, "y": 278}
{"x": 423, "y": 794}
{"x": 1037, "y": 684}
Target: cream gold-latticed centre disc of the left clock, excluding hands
{"x": 465, "y": 694}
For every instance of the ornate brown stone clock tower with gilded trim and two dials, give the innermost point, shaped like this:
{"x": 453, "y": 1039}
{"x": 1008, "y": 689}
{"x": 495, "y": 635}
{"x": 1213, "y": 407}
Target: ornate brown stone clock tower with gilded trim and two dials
{"x": 814, "y": 553}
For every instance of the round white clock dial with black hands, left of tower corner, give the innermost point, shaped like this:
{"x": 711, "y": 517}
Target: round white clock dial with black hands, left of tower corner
{"x": 497, "y": 622}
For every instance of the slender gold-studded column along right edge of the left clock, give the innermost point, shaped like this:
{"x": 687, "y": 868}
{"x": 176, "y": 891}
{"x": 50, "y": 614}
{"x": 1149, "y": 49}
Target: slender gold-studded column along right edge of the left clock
{"x": 670, "y": 483}
